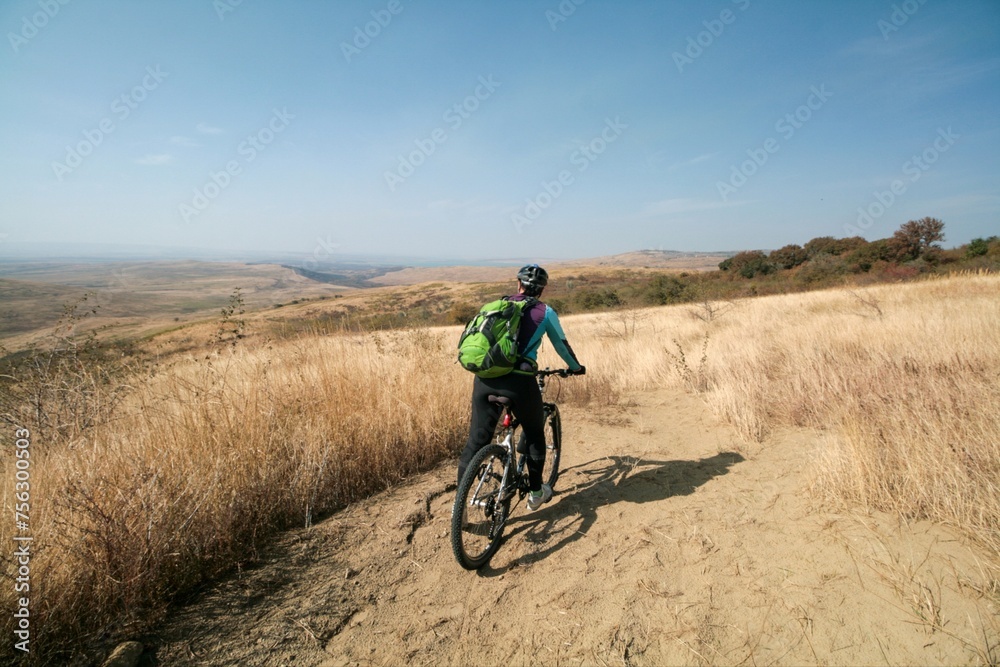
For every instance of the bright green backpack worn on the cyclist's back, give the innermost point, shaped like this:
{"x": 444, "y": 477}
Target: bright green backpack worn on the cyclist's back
{"x": 488, "y": 346}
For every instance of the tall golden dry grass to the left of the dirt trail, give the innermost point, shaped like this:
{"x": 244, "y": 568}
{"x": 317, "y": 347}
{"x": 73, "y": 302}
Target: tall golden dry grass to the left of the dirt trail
{"x": 205, "y": 460}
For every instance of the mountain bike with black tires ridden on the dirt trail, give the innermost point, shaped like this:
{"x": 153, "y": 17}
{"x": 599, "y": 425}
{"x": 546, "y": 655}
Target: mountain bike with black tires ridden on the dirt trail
{"x": 495, "y": 476}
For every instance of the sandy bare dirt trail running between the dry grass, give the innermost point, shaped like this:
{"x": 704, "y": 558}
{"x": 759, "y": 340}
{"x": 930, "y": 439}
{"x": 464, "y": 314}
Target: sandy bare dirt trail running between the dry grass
{"x": 662, "y": 546}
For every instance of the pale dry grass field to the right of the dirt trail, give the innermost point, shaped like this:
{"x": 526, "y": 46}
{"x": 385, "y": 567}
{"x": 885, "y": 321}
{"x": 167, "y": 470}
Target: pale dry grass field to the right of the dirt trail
{"x": 906, "y": 376}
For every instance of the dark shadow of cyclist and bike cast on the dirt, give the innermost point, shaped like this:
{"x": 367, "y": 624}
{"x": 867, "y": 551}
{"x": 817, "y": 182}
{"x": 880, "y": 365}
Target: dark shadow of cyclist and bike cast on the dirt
{"x": 584, "y": 488}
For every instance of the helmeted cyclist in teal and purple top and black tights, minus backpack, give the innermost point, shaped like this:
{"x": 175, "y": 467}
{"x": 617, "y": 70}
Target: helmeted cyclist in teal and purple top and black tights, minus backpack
{"x": 519, "y": 385}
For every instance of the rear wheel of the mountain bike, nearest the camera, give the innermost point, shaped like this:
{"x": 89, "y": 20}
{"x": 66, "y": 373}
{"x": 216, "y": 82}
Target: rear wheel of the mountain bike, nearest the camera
{"x": 478, "y": 516}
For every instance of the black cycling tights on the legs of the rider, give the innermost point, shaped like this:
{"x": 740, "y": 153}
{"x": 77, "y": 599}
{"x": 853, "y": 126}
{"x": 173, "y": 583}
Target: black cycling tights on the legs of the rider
{"x": 526, "y": 402}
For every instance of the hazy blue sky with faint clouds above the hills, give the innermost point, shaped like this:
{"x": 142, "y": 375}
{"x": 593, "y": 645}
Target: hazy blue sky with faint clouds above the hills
{"x": 482, "y": 130}
